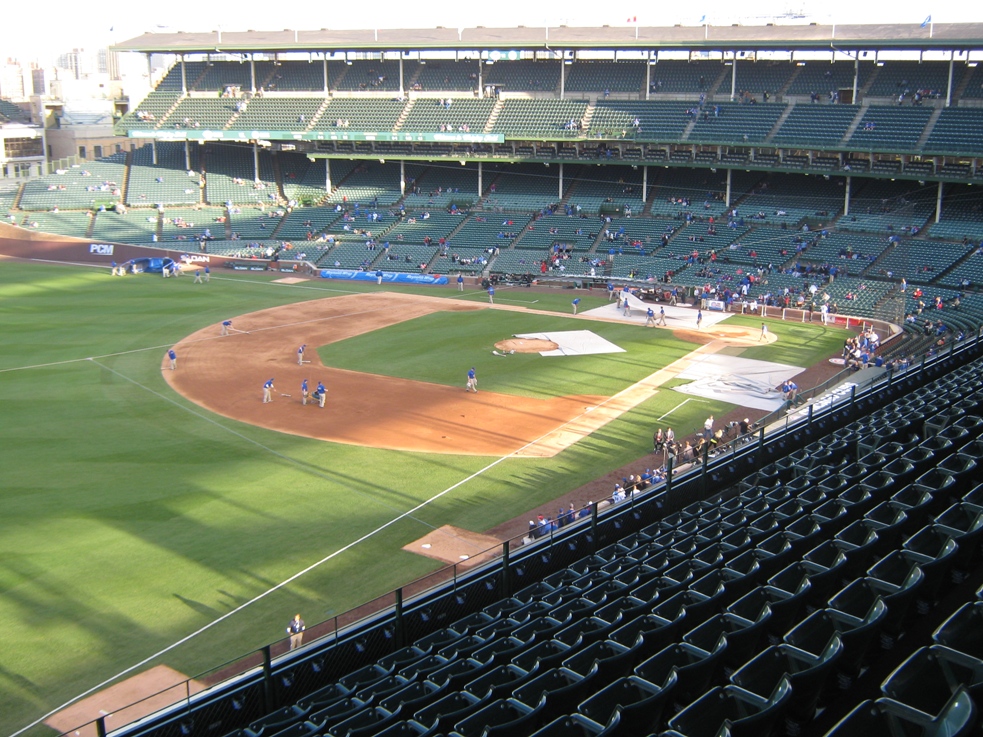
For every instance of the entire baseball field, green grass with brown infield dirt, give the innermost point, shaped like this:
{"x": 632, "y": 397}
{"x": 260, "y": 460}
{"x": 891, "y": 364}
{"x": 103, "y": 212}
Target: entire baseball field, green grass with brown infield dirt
{"x": 151, "y": 517}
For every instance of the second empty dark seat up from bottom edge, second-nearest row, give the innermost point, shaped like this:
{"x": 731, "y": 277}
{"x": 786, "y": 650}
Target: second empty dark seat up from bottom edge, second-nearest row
{"x": 806, "y": 673}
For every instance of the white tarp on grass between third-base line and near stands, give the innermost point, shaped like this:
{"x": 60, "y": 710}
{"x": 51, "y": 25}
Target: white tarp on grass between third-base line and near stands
{"x": 741, "y": 381}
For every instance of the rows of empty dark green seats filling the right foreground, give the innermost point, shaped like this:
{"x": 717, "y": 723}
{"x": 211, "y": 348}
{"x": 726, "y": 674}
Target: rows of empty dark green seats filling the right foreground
{"x": 750, "y": 609}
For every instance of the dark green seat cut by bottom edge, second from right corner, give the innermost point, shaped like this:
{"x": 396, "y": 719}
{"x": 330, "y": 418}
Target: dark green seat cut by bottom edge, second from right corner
{"x": 741, "y": 712}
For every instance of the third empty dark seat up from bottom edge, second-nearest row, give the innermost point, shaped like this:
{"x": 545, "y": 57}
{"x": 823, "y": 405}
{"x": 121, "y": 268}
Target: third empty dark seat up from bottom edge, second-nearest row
{"x": 815, "y": 631}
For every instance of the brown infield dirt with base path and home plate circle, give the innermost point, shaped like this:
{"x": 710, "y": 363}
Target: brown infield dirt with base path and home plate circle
{"x": 225, "y": 374}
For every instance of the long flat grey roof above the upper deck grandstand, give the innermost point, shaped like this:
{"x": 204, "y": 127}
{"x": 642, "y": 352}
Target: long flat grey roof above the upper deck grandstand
{"x": 928, "y": 36}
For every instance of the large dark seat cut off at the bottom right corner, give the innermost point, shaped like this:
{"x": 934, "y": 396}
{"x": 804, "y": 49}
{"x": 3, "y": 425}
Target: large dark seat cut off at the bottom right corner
{"x": 889, "y": 718}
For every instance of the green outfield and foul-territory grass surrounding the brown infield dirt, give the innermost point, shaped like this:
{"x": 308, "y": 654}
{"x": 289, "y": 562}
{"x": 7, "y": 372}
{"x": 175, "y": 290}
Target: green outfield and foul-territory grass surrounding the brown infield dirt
{"x": 130, "y": 517}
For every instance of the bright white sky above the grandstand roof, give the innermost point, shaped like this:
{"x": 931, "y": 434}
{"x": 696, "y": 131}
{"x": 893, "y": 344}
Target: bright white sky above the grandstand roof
{"x": 44, "y": 31}
